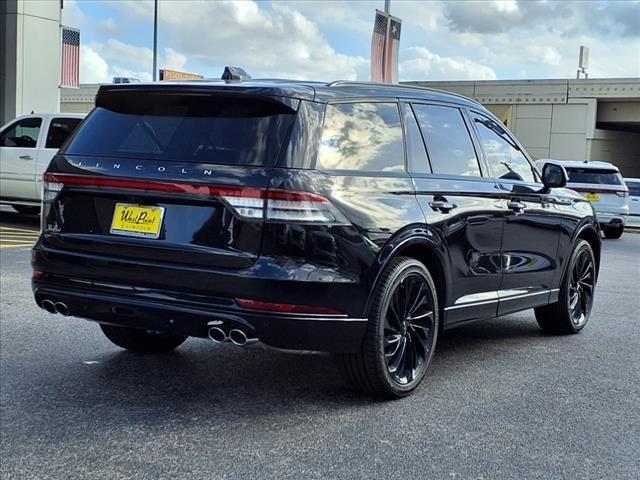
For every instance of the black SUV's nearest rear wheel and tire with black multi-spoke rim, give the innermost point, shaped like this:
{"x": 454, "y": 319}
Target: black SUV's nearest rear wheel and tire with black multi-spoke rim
{"x": 392, "y": 344}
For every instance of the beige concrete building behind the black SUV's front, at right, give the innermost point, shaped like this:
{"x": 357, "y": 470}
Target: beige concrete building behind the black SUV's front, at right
{"x": 594, "y": 119}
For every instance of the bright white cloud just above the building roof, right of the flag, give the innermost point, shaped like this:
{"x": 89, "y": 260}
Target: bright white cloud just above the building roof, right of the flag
{"x": 426, "y": 65}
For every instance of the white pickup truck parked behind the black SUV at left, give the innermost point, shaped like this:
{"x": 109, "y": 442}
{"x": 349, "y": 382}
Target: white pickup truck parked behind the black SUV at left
{"x": 27, "y": 145}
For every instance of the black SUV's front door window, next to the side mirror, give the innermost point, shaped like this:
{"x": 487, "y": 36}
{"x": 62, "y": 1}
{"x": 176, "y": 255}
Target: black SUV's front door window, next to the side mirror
{"x": 506, "y": 161}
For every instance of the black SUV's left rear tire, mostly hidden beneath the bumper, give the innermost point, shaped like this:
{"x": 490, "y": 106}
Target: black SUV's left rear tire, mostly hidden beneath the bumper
{"x": 142, "y": 341}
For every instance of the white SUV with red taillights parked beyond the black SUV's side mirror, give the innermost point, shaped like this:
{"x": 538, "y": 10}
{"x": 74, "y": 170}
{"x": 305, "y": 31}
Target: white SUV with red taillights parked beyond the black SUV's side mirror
{"x": 601, "y": 184}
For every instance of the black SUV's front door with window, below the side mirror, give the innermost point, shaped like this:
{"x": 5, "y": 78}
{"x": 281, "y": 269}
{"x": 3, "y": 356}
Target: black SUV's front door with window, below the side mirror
{"x": 533, "y": 222}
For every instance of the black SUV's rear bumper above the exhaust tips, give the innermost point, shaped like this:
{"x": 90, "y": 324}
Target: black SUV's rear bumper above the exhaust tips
{"x": 188, "y": 310}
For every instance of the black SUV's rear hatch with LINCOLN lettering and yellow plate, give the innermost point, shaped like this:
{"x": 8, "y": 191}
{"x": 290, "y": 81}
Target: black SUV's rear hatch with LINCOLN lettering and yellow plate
{"x": 168, "y": 175}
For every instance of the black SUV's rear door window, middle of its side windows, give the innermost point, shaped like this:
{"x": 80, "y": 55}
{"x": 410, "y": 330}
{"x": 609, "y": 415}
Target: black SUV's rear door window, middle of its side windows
{"x": 447, "y": 139}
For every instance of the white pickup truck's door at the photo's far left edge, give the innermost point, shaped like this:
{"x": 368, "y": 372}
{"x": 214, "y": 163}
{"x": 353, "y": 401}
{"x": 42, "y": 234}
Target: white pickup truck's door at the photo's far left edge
{"x": 18, "y": 156}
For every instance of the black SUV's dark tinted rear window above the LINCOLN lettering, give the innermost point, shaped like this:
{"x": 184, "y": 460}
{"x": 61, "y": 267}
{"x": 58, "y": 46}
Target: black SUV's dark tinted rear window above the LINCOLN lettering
{"x": 203, "y": 129}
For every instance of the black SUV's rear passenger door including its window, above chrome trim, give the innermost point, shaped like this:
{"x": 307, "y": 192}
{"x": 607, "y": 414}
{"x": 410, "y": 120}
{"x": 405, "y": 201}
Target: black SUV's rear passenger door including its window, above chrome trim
{"x": 461, "y": 203}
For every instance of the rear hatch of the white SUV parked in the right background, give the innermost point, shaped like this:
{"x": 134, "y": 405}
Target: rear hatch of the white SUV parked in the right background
{"x": 603, "y": 187}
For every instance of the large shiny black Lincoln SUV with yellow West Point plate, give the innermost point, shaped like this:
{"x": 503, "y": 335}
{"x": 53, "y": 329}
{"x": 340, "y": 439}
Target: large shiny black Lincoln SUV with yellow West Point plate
{"x": 352, "y": 218}
